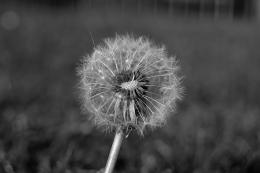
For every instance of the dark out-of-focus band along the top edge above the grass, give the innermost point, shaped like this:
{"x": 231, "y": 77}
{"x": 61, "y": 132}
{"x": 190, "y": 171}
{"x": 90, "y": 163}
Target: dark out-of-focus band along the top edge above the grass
{"x": 238, "y": 8}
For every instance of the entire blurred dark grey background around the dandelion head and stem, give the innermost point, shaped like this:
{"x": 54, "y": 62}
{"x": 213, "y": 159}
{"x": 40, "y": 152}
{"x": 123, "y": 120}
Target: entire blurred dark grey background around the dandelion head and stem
{"x": 216, "y": 128}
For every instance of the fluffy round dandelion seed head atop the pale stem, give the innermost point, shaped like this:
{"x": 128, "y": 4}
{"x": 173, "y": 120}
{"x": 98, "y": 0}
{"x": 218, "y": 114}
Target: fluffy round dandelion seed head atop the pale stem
{"x": 130, "y": 83}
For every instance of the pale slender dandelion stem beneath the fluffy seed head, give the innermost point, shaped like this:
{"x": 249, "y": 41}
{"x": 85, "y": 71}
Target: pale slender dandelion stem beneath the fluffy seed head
{"x": 114, "y": 151}
